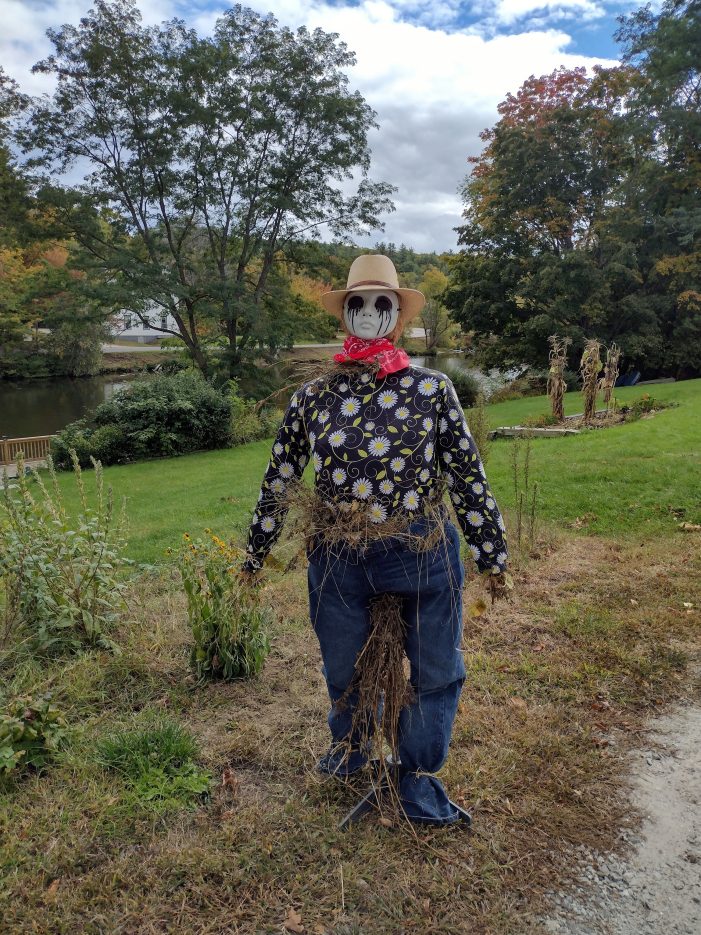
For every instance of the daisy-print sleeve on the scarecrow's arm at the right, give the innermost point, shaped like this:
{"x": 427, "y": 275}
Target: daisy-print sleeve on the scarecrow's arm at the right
{"x": 477, "y": 511}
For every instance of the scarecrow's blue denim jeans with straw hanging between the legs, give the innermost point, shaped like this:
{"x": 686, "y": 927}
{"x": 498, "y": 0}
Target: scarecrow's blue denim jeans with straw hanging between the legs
{"x": 342, "y": 581}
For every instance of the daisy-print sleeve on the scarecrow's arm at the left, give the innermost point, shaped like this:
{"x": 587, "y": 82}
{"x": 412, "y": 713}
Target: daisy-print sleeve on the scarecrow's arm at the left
{"x": 287, "y": 462}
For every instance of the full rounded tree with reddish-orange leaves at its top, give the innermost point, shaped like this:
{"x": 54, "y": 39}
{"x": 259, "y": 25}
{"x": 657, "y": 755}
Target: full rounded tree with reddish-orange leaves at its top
{"x": 541, "y": 255}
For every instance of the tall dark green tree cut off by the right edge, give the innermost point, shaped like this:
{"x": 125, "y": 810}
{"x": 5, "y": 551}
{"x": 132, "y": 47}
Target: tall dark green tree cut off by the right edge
{"x": 665, "y": 109}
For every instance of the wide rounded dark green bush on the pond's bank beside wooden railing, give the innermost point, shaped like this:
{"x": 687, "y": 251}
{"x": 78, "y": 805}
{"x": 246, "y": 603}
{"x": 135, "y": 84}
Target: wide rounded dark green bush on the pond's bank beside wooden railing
{"x": 166, "y": 415}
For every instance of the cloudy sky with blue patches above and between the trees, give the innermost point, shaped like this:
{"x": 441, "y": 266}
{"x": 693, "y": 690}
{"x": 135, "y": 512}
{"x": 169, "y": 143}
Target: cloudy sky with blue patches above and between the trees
{"x": 433, "y": 70}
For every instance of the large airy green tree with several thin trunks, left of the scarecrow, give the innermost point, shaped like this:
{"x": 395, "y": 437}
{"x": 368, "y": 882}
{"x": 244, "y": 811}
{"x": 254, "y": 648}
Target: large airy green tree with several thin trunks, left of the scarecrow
{"x": 208, "y": 158}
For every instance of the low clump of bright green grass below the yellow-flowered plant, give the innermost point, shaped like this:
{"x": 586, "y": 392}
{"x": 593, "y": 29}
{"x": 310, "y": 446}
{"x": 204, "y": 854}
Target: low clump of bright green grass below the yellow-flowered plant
{"x": 157, "y": 762}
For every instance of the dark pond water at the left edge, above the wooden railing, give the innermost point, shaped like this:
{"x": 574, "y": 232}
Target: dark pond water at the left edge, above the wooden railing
{"x": 42, "y": 407}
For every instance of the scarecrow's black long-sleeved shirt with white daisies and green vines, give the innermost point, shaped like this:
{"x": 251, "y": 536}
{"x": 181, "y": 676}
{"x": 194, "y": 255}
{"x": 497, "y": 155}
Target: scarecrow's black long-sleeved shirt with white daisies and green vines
{"x": 386, "y": 442}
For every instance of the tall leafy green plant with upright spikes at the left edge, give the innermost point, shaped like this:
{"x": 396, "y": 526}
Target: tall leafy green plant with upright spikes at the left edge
{"x": 60, "y": 574}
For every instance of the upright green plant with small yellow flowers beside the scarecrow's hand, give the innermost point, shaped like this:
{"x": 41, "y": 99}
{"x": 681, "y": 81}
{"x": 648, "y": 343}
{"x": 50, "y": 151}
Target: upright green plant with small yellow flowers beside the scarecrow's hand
{"x": 229, "y": 624}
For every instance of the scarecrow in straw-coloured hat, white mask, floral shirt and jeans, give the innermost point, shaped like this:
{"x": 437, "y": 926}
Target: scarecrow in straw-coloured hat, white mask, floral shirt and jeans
{"x": 387, "y": 440}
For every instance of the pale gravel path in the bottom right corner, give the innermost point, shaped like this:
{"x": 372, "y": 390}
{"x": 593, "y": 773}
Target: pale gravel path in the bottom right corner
{"x": 656, "y": 887}
